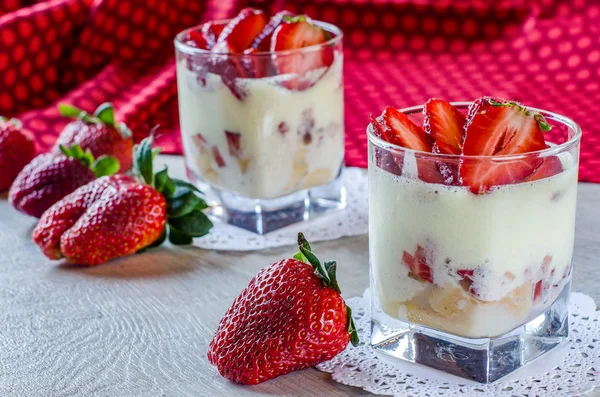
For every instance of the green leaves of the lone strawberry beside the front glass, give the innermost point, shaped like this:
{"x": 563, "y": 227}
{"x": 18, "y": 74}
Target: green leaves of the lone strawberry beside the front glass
{"x": 327, "y": 274}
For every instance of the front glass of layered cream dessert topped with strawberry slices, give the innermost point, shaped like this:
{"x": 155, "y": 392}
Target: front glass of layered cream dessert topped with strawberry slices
{"x": 471, "y": 229}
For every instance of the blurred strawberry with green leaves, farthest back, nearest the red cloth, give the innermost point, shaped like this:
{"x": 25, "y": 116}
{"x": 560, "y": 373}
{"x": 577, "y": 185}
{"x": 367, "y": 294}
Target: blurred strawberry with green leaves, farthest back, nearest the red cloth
{"x": 98, "y": 133}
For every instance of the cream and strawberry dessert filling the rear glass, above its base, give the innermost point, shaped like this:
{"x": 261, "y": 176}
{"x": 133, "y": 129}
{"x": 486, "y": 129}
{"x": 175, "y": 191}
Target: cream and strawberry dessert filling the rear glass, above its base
{"x": 261, "y": 103}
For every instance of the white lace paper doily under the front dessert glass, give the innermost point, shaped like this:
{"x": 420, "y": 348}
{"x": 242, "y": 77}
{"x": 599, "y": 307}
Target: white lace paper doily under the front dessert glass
{"x": 570, "y": 370}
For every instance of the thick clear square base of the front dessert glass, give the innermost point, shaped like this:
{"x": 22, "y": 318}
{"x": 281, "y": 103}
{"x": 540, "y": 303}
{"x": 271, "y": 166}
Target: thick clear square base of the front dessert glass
{"x": 483, "y": 360}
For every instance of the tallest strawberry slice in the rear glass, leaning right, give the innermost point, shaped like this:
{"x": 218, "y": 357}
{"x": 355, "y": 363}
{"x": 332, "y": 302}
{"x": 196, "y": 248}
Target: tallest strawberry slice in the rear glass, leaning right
{"x": 243, "y": 29}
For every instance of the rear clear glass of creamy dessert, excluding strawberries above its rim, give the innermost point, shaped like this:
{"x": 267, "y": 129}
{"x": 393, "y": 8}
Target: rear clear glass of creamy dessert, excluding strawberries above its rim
{"x": 266, "y": 148}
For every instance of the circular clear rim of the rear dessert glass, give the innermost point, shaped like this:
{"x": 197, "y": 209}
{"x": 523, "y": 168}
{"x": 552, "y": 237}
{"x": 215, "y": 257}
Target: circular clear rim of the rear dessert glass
{"x": 180, "y": 45}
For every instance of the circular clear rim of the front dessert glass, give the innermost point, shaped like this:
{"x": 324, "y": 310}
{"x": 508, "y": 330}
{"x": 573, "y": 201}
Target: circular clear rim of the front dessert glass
{"x": 552, "y": 150}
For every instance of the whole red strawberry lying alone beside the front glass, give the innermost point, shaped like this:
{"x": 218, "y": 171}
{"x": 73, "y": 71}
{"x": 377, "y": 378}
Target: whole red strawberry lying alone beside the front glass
{"x": 291, "y": 316}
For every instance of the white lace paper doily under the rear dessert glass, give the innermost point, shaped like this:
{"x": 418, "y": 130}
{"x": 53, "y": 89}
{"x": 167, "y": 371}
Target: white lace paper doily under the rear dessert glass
{"x": 351, "y": 221}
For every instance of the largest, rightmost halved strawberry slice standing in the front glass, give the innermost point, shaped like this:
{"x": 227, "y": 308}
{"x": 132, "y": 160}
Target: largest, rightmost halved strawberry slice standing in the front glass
{"x": 500, "y": 128}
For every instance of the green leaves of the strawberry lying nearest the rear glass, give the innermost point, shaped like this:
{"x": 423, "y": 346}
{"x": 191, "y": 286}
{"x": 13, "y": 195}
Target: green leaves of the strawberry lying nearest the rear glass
{"x": 185, "y": 207}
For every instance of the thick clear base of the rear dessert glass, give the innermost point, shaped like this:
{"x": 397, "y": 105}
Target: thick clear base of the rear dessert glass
{"x": 262, "y": 216}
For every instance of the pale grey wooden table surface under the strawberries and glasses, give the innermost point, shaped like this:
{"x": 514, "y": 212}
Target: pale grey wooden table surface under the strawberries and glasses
{"x": 140, "y": 326}
